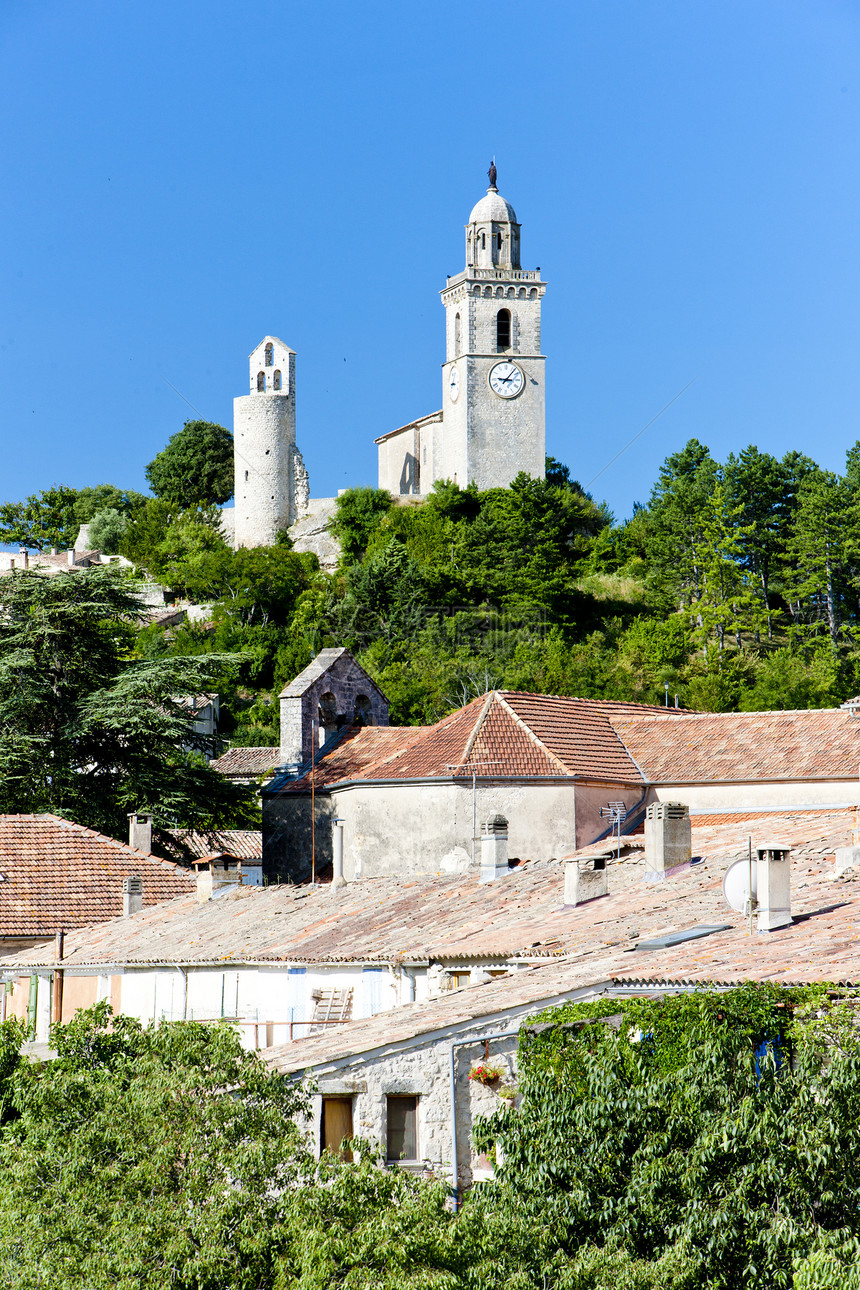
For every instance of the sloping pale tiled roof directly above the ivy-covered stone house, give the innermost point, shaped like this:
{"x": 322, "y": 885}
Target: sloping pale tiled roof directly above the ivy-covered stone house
{"x": 821, "y": 946}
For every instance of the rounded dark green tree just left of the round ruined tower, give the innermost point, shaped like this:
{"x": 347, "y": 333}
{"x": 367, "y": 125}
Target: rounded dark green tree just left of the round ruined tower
{"x": 197, "y": 468}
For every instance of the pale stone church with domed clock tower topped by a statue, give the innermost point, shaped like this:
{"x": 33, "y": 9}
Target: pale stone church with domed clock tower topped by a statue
{"x": 493, "y": 420}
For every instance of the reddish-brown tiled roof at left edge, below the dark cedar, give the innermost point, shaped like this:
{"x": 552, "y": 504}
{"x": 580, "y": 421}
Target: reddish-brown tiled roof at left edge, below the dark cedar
{"x": 59, "y": 877}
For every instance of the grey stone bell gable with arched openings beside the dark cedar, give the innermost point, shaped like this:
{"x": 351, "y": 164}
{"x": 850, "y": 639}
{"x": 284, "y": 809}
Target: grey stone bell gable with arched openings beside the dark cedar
{"x": 333, "y": 692}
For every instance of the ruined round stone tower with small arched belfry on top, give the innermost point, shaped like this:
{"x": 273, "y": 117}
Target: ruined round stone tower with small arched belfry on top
{"x": 271, "y": 482}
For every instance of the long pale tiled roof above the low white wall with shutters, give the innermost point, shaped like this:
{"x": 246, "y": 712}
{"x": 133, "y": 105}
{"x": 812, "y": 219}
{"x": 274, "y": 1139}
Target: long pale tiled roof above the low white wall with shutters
{"x": 453, "y": 917}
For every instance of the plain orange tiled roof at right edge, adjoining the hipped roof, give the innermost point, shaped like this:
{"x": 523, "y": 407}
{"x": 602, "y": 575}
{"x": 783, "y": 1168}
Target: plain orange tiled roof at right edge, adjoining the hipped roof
{"x": 821, "y": 744}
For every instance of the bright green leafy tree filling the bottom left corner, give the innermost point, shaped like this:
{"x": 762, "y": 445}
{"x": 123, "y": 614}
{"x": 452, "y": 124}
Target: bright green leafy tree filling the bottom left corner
{"x": 170, "y": 1150}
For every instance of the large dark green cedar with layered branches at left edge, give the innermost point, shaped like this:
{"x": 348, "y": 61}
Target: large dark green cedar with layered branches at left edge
{"x": 90, "y": 732}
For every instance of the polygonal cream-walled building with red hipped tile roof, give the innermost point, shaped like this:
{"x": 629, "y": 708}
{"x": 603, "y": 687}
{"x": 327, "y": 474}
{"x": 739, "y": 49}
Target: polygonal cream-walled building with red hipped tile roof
{"x": 412, "y": 799}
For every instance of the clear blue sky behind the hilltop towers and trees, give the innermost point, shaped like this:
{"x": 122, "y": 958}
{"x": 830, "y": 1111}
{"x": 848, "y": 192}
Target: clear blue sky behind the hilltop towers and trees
{"x": 181, "y": 179}
